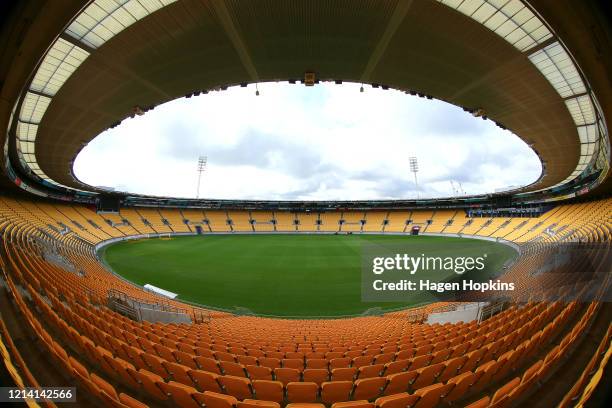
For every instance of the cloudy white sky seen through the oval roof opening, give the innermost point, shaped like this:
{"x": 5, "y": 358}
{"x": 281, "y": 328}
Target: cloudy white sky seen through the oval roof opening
{"x": 327, "y": 142}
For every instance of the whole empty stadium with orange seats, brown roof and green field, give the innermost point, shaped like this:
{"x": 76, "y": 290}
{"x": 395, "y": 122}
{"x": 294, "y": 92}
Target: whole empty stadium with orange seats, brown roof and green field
{"x": 497, "y": 299}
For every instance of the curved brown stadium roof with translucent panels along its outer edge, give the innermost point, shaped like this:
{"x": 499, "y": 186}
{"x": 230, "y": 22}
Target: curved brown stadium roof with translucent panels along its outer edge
{"x": 75, "y": 68}
